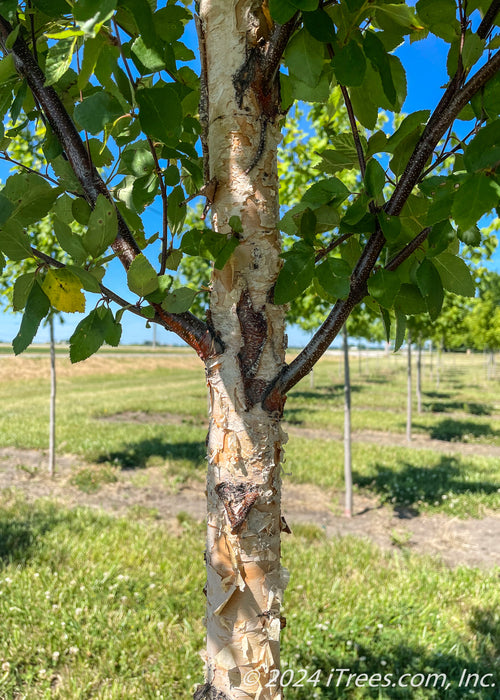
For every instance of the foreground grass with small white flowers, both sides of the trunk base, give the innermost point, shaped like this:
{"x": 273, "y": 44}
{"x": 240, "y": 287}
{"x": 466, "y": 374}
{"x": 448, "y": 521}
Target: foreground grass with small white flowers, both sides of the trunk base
{"x": 98, "y": 607}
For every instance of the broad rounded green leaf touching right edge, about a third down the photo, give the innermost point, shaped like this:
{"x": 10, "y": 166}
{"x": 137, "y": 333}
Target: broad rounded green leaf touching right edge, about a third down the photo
{"x": 476, "y": 196}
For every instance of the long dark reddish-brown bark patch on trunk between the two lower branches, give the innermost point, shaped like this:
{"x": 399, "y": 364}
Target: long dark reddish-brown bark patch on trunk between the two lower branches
{"x": 253, "y": 324}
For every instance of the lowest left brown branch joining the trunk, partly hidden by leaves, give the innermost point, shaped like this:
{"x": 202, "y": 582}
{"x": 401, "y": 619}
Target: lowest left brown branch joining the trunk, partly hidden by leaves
{"x": 186, "y": 325}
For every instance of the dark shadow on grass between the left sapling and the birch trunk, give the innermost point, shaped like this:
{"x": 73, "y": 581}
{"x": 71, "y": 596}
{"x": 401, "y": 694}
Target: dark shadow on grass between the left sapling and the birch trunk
{"x": 136, "y": 455}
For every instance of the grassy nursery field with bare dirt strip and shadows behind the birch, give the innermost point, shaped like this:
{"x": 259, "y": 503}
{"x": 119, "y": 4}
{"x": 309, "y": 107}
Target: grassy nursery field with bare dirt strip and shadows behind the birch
{"x": 101, "y": 569}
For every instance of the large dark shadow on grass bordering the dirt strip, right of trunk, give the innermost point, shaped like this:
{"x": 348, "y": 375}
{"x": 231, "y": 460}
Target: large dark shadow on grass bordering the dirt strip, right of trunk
{"x": 411, "y": 486}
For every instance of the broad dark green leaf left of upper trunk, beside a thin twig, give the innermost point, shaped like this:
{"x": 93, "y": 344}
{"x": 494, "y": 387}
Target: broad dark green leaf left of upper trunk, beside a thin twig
{"x": 160, "y": 113}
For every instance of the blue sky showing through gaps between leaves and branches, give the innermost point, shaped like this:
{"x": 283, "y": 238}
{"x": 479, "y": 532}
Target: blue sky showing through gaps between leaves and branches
{"x": 425, "y": 63}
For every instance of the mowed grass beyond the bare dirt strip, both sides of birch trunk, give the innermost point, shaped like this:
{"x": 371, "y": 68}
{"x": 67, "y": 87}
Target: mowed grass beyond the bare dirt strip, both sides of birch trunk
{"x": 132, "y": 417}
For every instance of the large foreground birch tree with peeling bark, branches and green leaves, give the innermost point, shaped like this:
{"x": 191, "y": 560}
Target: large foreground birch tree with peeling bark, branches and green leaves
{"x": 122, "y": 125}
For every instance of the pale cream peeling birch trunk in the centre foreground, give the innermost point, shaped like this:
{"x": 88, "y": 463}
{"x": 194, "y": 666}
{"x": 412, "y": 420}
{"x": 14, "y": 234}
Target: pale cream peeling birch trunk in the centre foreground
{"x": 245, "y": 581}
